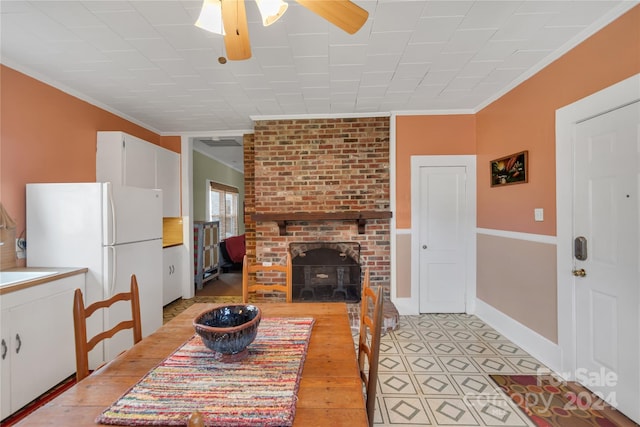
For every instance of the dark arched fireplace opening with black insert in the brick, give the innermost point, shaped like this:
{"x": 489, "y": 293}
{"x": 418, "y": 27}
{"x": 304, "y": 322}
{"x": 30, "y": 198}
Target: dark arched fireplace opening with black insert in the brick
{"x": 325, "y": 271}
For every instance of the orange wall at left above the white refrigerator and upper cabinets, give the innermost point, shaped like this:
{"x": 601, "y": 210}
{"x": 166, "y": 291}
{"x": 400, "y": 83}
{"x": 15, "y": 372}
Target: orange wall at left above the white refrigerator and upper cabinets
{"x": 47, "y": 135}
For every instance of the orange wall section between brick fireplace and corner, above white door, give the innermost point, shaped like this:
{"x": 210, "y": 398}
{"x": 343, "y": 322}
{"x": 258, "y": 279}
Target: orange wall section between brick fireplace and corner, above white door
{"x": 427, "y": 135}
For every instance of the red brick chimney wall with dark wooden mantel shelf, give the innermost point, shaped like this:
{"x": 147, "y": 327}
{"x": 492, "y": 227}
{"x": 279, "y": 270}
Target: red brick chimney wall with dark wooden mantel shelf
{"x": 319, "y": 180}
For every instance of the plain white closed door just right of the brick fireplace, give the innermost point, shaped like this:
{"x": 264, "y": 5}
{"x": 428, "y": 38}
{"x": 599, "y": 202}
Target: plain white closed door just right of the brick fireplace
{"x": 442, "y": 271}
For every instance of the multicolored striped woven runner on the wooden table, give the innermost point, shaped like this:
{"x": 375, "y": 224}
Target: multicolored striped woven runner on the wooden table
{"x": 260, "y": 390}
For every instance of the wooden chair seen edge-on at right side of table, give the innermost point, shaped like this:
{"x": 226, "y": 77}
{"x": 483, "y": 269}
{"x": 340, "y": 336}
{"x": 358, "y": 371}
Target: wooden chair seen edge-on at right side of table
{"x": 369, "y": 341}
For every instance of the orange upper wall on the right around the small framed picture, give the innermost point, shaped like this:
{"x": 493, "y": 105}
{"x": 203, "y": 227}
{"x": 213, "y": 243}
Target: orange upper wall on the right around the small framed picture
{"x": 524, "y": 119}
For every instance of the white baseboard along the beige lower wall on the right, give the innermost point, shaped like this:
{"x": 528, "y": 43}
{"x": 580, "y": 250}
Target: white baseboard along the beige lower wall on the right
{"x": 530, "y": 341}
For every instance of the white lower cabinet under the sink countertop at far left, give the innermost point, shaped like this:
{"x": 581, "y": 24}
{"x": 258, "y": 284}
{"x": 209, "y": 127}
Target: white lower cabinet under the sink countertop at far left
{"x": 37, "y": 344}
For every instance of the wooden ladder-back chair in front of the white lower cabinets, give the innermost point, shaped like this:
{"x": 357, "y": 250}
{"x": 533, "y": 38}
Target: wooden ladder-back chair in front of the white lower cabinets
{"x": 81, "y": 313}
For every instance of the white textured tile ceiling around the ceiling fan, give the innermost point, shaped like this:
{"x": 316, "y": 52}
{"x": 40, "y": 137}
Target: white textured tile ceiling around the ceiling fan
{"x": 147, "y": 61}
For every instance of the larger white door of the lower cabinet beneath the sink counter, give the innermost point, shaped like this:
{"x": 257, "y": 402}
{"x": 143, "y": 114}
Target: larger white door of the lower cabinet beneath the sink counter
{"x": 43, "y": 346}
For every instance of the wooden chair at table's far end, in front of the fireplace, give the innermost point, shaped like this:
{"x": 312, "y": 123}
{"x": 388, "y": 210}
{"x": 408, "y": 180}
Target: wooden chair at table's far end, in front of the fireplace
{"x": 251, "y": 284}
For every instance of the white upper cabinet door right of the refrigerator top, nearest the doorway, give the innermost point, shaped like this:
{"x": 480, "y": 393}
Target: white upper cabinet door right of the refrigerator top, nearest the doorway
{"x": 168, "y": 180}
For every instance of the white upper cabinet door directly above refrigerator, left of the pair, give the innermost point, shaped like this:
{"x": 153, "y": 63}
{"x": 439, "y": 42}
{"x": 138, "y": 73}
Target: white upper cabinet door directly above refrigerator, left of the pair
{"x": 139, "y": 163}
